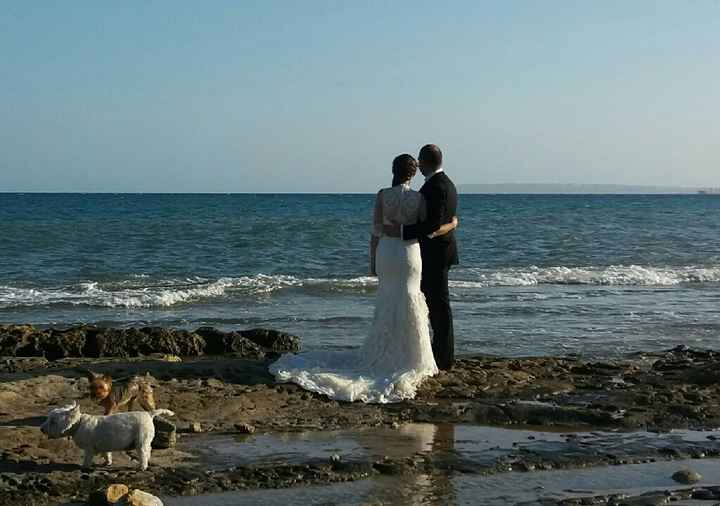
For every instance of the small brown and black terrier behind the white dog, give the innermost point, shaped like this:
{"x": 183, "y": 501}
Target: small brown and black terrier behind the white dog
{"x": 113, "y": 397}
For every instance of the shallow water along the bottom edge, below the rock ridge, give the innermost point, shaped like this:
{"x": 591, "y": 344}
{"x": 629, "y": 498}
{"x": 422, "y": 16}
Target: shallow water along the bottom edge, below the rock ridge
{"x": 497, "y": 490}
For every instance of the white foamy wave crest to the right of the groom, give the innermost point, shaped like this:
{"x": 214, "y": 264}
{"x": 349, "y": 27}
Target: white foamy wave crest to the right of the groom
{"x": 614, "y": 275}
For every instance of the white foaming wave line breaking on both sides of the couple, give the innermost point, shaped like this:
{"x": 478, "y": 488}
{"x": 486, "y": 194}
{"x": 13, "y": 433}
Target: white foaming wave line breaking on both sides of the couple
{"x": 144, "y": 292}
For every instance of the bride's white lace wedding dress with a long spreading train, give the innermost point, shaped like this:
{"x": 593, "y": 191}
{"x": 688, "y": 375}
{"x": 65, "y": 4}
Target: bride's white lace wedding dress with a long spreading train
{"x": 397, "y": 353}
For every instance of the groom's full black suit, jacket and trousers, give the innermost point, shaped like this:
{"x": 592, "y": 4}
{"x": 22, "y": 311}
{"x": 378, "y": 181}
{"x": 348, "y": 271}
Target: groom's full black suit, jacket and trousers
{"x": 438, "y": 255}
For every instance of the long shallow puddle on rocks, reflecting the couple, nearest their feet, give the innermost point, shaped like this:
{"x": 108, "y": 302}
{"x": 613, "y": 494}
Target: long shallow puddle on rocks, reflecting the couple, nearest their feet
{"x": 477, "y": 445}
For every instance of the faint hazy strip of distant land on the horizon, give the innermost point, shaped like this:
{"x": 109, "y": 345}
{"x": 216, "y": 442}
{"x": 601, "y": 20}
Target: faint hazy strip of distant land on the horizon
{"x": 577, "y": 189}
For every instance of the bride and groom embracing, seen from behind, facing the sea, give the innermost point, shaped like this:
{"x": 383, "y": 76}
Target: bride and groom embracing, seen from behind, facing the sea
{"x": 411, "y": 250}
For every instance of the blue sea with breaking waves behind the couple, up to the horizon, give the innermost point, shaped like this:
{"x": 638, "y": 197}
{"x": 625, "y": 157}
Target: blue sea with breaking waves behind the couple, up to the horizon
{"x": 592, "y": 275}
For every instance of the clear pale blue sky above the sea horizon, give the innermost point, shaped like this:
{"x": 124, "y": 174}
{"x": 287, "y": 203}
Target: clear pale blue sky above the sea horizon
{"x": 243, "y": 96}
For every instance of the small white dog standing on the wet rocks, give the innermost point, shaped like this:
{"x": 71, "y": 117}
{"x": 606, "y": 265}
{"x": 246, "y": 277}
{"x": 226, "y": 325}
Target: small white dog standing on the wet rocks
{"x": 105, "y": 434}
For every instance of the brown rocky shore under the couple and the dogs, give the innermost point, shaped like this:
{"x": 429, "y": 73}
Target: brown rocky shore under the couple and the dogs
{"x": 217, "y": 384}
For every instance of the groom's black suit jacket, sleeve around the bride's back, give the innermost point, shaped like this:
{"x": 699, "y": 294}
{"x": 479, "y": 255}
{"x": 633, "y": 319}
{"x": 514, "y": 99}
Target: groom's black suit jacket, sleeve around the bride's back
{"x": 441, "y": 200}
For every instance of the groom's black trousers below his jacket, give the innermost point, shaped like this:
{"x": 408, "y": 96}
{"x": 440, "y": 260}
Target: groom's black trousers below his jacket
{"x": 435, "y": 287}
